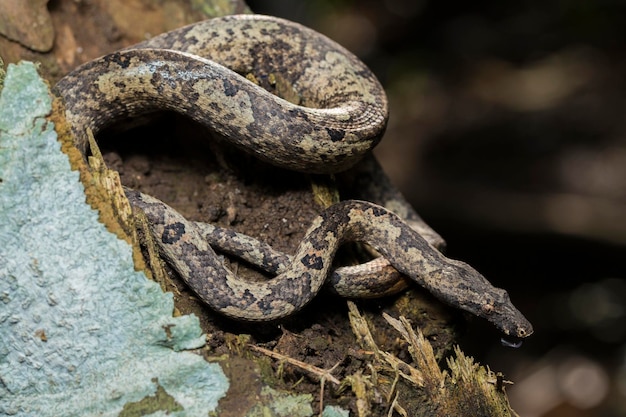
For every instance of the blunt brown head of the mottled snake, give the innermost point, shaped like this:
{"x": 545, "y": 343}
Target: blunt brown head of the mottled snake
{"x": 498, "y": 309}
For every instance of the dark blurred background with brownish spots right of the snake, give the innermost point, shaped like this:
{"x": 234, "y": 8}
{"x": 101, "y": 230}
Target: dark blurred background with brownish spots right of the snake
{"x": 508, "y": 134}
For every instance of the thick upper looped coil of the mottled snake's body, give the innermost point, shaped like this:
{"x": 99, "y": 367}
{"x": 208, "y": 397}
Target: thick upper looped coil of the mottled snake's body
{"x": 342, "y": 109}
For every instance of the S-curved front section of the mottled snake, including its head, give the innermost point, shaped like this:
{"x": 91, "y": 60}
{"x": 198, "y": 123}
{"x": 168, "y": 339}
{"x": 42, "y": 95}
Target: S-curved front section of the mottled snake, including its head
{"x": 303, "y": 274}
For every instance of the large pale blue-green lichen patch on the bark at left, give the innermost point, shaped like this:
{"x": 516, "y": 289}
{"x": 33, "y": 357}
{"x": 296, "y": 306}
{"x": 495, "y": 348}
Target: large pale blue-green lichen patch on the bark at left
{"x": 81, "y": 332}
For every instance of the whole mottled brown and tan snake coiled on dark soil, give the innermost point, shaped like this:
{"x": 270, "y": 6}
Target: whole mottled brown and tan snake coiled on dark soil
{"x": 223, "y": 73}
